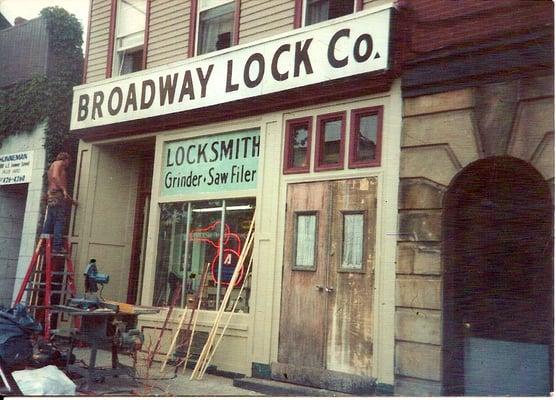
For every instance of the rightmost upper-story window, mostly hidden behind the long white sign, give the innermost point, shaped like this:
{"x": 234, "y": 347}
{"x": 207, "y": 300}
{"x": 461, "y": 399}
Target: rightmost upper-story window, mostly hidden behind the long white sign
{"x": 313, "y": 11}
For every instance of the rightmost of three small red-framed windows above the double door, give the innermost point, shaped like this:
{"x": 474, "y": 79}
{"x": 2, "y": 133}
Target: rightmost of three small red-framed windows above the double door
{"x": 365, "y": 137}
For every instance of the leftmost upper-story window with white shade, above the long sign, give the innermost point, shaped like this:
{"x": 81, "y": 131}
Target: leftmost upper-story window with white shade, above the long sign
{"x": 129, "y": 36}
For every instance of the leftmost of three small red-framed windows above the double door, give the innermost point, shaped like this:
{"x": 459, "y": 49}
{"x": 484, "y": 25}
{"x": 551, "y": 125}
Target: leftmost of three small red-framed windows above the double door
{"x": 297, "y": 153}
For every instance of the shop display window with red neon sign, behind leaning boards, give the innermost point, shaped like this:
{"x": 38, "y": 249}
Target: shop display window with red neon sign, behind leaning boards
{"x": 202, "y": 235}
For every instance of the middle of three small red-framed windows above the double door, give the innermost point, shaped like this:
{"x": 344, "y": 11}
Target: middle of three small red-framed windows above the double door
{"x": 330, "y": 141}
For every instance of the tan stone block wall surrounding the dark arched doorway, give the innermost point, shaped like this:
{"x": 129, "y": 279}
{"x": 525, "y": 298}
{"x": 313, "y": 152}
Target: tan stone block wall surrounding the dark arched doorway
{"x": 442, "y": 134}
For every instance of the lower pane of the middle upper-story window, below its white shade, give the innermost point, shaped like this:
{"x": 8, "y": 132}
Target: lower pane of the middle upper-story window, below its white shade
{"x": 215, "y": 28}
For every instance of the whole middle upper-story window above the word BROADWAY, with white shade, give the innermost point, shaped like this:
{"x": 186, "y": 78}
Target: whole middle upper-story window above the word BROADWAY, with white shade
{"x": 216, "y": 24}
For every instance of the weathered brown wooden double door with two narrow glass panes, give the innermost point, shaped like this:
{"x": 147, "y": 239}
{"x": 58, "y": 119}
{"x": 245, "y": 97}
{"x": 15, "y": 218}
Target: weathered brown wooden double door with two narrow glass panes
{"x": 328, "y": 283}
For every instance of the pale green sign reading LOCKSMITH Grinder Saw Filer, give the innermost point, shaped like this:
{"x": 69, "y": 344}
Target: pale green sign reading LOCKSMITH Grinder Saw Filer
{"x": 211, "y": 163}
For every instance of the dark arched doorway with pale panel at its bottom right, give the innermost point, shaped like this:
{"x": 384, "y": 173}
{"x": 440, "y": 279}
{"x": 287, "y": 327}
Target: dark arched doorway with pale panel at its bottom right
{"x": 498, "y": 281}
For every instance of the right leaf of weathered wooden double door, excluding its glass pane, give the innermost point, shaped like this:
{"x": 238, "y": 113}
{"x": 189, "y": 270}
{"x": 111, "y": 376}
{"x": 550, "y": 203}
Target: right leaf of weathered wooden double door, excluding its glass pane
{"x": 350, "y": 310}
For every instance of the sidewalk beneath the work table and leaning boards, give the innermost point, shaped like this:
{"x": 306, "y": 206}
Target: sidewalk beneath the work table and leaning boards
{"x": 155, "y": 383}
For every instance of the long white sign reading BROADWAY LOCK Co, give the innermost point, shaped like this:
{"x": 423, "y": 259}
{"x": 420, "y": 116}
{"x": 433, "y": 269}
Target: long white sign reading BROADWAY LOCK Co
{"x": 343, "y": 47}
